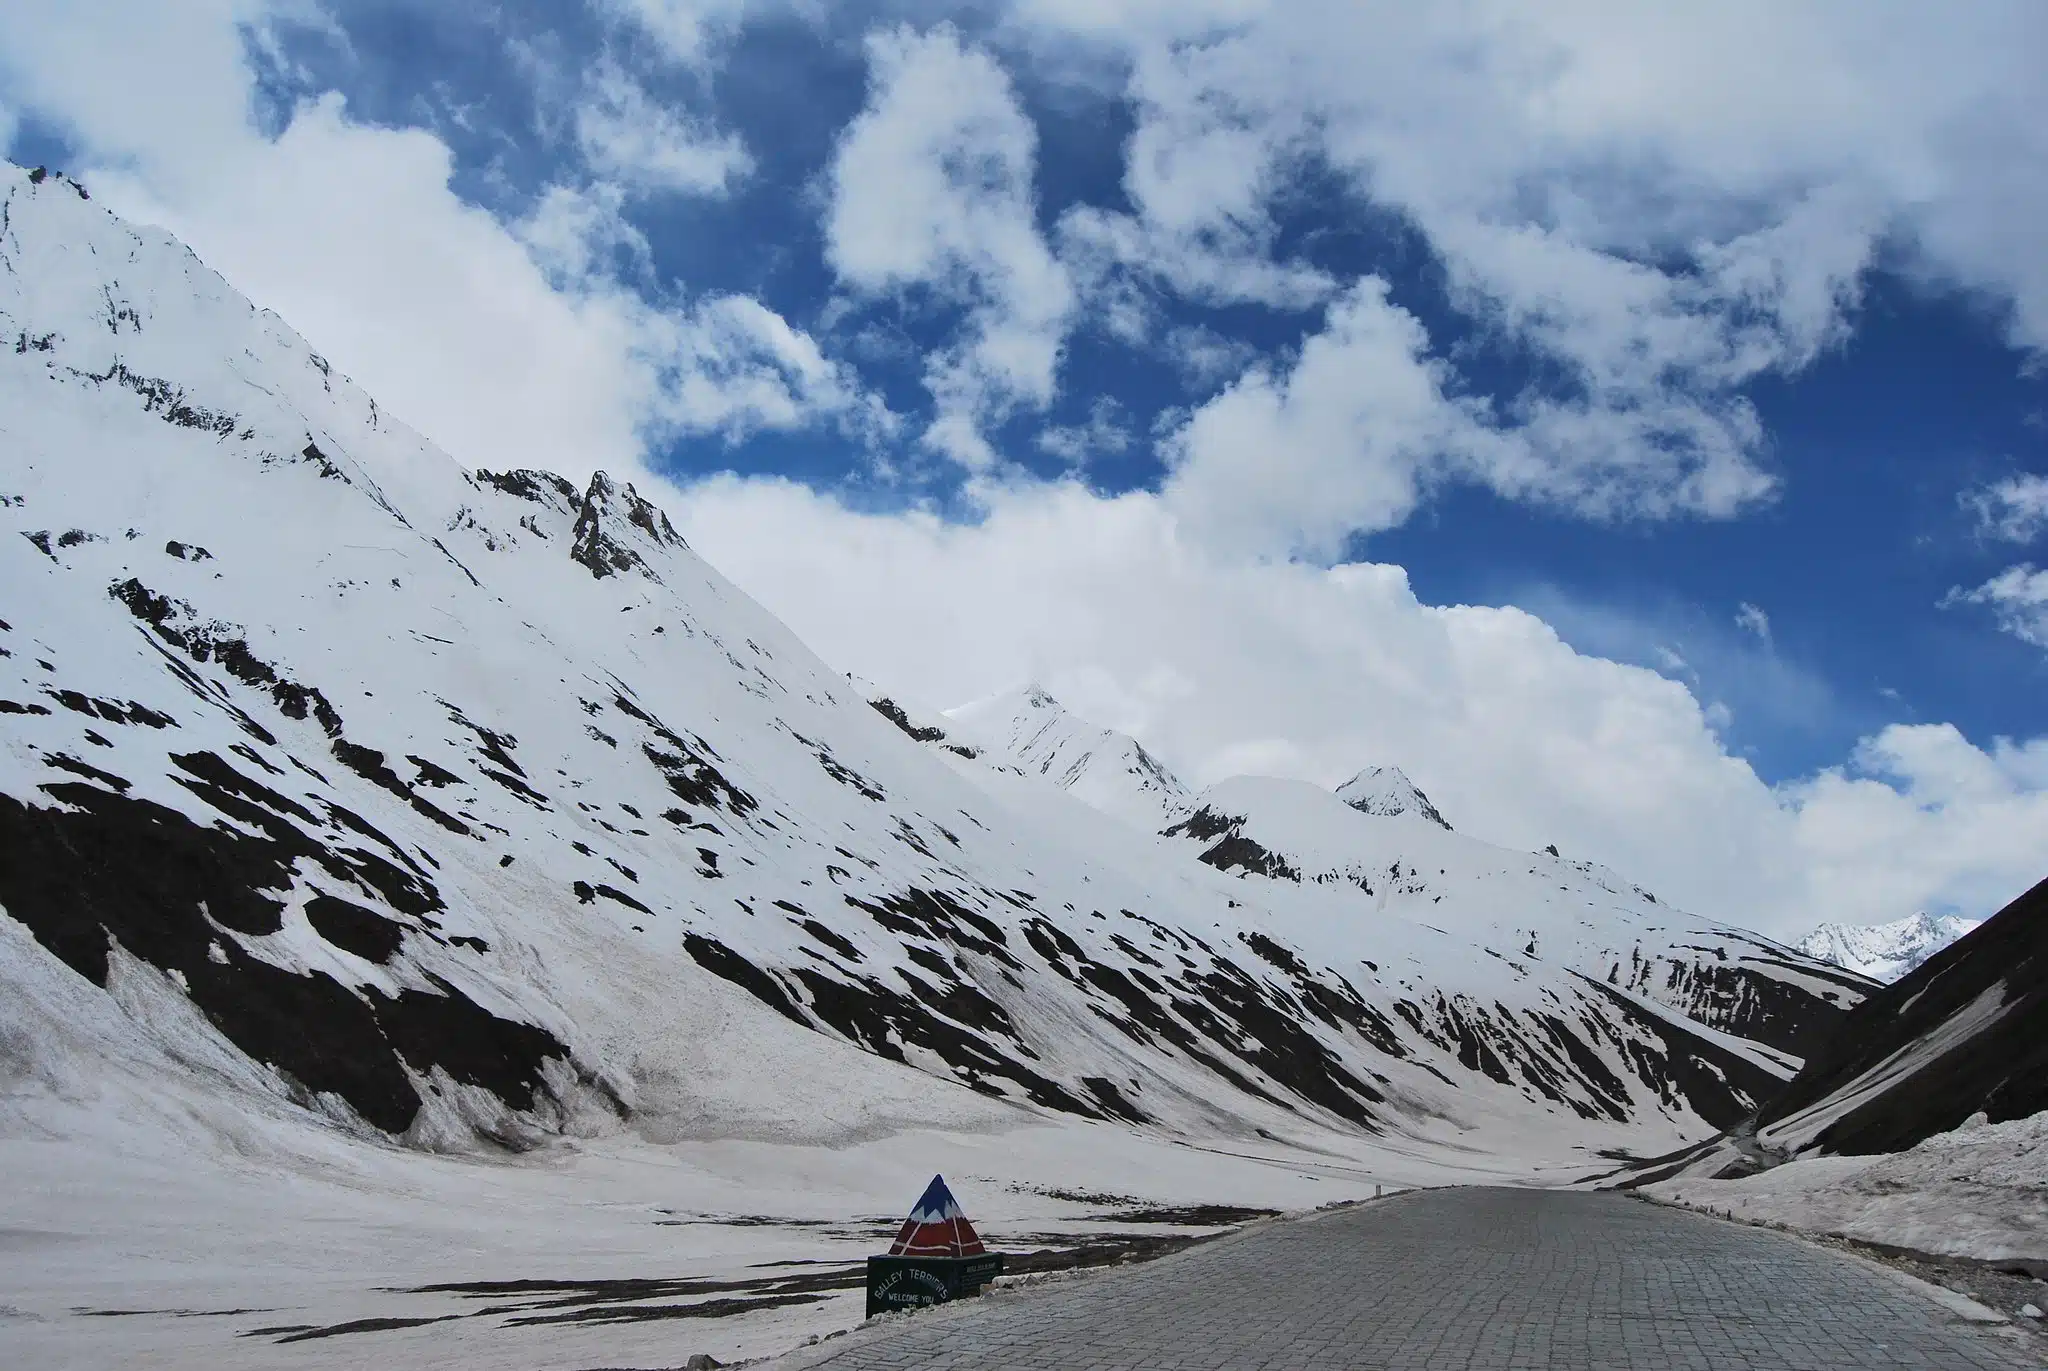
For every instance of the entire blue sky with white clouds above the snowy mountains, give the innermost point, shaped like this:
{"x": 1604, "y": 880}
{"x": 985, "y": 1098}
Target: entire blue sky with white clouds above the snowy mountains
{"x": 1707, "y": 337}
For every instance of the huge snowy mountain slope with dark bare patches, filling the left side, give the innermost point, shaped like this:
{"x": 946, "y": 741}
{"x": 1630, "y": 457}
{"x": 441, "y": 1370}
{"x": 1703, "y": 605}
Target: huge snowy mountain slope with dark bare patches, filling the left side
{"x": 456, "y": 806}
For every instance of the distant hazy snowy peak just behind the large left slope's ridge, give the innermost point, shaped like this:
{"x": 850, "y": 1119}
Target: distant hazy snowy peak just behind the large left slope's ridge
{"x": 1097, "y": 765}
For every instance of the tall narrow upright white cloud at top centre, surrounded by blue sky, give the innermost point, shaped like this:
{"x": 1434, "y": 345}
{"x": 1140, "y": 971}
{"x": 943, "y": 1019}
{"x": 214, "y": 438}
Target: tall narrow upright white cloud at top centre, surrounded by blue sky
{"x": 933, "y": 190}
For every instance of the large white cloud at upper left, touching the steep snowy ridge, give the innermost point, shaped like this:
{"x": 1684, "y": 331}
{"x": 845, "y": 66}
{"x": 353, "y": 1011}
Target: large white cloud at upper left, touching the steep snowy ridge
{"x": 509, "y": 345}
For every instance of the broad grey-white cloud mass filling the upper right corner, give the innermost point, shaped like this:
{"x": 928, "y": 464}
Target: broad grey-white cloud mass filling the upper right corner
{"x": 1658, "y": 206}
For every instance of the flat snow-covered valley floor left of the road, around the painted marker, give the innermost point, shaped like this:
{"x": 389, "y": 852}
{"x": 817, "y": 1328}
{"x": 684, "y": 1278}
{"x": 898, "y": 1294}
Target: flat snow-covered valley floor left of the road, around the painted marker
{"x": 288, "y": 1251}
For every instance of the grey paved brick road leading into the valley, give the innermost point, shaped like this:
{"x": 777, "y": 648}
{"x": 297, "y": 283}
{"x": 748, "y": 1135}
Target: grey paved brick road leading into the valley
{"x": 1461, "y": 1282}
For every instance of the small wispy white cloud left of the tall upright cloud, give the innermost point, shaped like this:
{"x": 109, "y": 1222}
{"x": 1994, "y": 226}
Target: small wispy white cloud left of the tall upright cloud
{"x": 630, "y": 136}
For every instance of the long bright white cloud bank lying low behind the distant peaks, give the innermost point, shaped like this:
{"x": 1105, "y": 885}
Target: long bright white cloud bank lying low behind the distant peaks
{"x": 1230, "y": 665}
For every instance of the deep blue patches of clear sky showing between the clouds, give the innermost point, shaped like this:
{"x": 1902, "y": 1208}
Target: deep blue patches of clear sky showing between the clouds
{"x": 1875, "y": 444}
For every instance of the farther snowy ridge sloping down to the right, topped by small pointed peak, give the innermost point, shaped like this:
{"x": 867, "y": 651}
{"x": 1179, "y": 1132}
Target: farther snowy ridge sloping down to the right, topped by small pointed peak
{"x": 1525, "y": 909}
